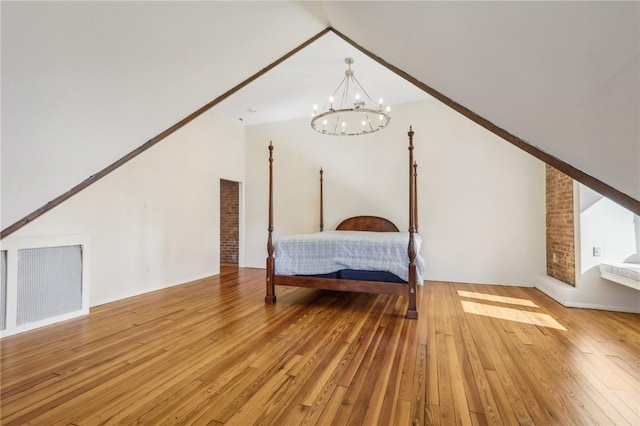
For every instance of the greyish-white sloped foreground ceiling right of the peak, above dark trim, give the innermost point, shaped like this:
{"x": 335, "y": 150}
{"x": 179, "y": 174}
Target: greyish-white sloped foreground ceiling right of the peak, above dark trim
{"x": 563, "y": 76}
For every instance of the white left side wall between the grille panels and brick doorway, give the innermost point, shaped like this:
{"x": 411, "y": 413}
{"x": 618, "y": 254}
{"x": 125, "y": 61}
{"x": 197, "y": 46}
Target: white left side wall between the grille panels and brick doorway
{"x": 154, "y": 222}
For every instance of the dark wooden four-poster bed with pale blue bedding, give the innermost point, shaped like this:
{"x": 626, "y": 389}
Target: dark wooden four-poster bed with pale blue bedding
{"x": 365, "y": 254}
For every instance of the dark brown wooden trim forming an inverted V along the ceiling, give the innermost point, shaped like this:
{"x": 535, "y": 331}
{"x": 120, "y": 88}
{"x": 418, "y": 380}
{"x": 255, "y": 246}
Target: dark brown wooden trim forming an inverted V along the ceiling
{"x": 595, "y": 184}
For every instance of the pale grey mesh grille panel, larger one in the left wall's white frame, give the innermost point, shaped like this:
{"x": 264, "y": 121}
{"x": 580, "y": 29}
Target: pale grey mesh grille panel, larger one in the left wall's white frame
{"x": 49, "y": 282}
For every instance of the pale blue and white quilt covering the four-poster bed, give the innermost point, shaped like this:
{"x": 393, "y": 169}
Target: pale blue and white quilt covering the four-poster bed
{"x": 331, "y": 251}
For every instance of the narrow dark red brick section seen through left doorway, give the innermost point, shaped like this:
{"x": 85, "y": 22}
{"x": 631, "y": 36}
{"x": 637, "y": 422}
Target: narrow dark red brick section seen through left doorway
{"x": 229, "y": 214}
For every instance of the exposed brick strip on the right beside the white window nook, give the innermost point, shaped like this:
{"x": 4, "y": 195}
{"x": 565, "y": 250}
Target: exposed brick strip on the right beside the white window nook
{"x": 560, "y": 229}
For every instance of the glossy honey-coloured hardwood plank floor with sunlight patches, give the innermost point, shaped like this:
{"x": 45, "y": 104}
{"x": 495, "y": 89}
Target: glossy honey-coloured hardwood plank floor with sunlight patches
{"x": 211, "y": 352}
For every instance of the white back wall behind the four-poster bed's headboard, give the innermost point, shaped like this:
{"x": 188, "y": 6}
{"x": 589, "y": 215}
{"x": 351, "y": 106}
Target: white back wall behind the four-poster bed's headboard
{"x": 481, "y": 202}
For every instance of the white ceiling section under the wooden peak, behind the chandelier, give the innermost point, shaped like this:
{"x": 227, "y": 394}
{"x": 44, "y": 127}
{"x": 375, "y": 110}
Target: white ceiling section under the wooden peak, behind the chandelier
{"x": 308, "y": 78}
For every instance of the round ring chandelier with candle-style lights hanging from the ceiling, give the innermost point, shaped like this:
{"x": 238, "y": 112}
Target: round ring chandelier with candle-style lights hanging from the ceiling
{"x": 348, "y": 115}
